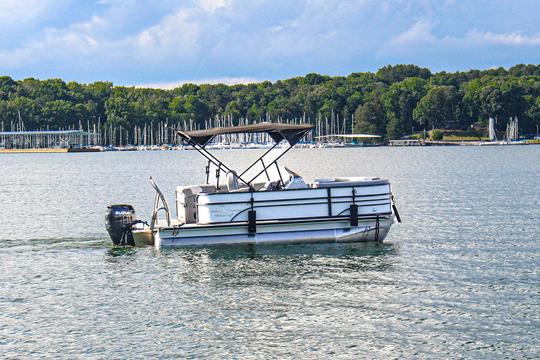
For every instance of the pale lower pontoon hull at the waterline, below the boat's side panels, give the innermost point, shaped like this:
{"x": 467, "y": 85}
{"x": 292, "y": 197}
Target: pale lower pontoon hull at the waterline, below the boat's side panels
{"x": 327, "y": 230}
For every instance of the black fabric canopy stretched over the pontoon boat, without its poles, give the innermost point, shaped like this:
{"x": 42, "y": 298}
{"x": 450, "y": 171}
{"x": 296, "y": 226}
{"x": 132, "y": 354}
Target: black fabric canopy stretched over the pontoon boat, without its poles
{"x": 278, "y": 132}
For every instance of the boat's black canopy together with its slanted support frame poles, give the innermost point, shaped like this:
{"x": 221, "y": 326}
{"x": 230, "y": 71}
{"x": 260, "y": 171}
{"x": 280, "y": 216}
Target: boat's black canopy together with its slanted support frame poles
{"x": 278, "y": 132}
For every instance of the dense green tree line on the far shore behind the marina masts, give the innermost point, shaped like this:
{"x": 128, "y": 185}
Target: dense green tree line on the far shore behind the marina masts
{"x": 393, "y": 101}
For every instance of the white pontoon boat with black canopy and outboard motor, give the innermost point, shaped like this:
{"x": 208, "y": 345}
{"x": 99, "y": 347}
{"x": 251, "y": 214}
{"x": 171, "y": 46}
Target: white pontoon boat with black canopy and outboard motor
{"x": 279, "y": 208}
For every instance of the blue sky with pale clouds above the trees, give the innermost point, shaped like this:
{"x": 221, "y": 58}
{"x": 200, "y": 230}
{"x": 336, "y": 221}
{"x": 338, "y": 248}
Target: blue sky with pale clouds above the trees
{"x": 164, "y": 43}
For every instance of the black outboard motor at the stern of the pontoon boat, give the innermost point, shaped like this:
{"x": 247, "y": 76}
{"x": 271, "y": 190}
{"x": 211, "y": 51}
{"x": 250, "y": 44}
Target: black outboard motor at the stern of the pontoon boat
{"x": 118, "y": 222}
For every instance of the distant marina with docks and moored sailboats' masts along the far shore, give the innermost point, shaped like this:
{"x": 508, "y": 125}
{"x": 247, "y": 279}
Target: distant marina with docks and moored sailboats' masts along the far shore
{"x": 327, "y": 133}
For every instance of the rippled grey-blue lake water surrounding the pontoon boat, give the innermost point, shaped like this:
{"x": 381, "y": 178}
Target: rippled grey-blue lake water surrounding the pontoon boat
{"x": 459, "y": 278}
